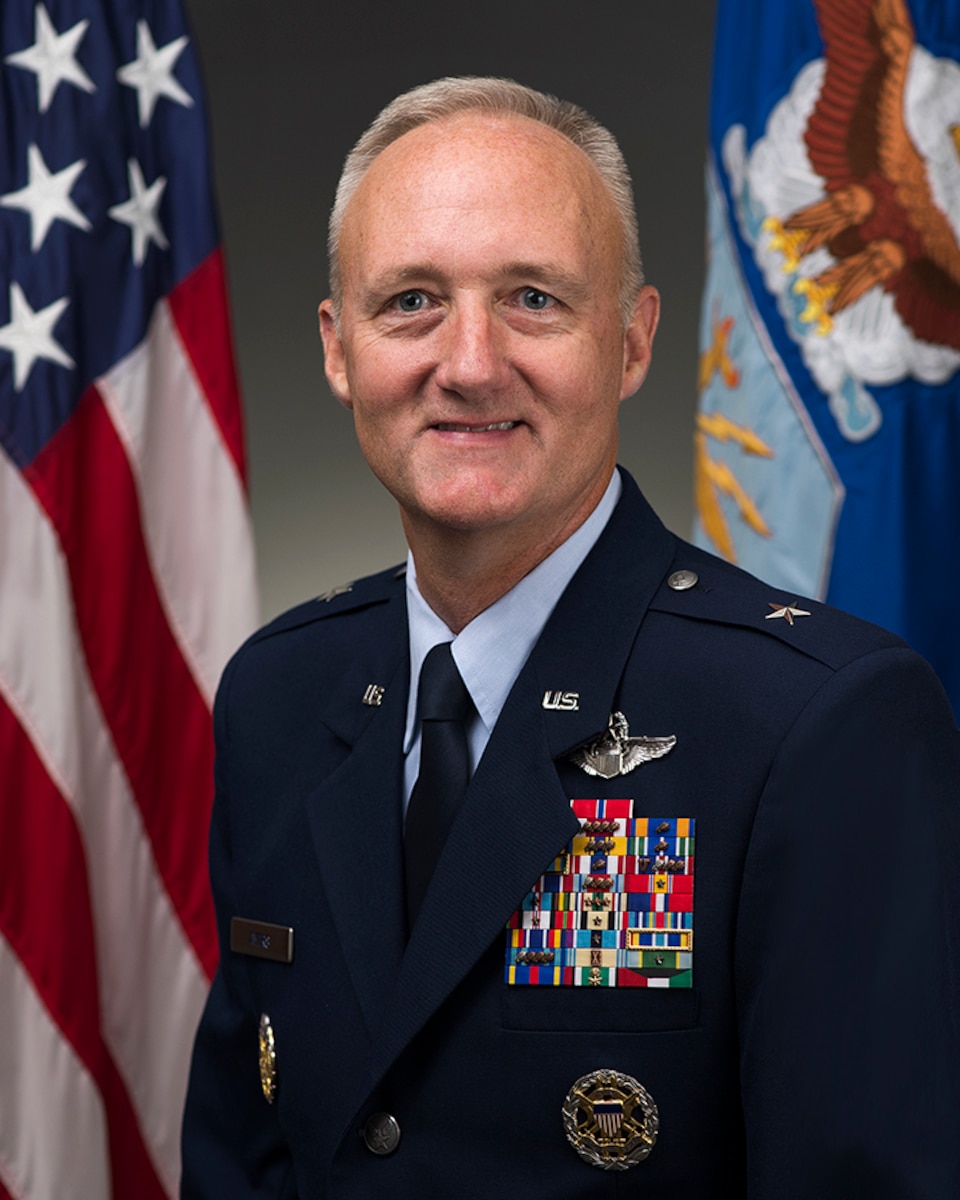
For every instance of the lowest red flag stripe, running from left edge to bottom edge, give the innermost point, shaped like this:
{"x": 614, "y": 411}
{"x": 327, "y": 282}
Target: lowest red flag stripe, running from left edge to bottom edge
{"x": 45, "y": 915}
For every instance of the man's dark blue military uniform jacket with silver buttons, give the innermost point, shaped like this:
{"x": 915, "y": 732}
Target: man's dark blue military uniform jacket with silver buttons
{"x": 817, "y": 1054}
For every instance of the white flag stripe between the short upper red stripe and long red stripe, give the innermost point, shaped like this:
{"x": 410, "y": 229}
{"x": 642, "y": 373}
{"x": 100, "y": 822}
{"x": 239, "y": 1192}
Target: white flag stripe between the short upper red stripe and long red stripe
{"x": 193, "y": 501}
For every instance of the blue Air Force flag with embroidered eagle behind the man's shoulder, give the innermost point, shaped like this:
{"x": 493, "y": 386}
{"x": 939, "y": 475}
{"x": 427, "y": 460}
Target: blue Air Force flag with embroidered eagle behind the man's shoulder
{"x": 829, "y": 439}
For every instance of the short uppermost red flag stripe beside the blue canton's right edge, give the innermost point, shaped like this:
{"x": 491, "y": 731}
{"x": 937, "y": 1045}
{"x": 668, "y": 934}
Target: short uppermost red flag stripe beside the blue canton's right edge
{"x": 200, "y": 310}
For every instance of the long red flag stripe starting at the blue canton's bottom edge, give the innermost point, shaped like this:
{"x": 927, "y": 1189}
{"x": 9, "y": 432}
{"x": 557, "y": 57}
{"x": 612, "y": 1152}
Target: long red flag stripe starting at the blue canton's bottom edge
{"x": 158, "y": 717}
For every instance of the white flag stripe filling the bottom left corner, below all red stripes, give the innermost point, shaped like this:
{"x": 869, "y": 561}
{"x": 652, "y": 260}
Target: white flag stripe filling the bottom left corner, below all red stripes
{"x": 53, "y": 1135}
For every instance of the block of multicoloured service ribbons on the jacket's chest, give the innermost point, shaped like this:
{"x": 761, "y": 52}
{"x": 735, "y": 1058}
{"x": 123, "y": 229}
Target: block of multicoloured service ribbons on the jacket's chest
{"x": 615, "y": 910}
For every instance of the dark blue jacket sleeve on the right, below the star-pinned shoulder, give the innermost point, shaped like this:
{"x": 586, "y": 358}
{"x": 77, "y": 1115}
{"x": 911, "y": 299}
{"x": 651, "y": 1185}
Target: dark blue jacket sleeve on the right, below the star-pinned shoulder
{"x": 847, "y": 953}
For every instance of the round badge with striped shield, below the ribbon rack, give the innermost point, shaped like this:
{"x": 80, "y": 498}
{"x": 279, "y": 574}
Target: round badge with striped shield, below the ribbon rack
{"x": 610, "y": 1120}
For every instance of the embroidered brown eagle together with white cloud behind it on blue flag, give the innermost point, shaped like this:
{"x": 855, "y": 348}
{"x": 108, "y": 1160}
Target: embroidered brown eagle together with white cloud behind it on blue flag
{"x": 851, "y": 203}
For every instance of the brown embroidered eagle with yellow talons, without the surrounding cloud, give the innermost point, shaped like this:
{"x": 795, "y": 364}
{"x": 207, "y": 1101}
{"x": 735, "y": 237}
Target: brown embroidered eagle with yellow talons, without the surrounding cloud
{"x": 880, "y": 157}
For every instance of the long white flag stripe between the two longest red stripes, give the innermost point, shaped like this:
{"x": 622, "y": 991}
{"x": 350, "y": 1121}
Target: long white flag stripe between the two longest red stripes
{"x": 153, "y": 987}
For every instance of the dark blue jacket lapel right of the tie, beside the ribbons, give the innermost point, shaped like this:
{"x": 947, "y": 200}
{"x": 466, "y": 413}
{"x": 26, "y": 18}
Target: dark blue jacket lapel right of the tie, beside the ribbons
{"x": 517, "y": 817}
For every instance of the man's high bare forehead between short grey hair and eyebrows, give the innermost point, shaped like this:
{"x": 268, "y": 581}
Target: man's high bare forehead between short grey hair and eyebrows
{"x": 507, "y": 175}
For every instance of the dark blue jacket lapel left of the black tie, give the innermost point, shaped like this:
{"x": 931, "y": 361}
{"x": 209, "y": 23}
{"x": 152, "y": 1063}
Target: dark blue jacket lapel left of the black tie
{"x": 356, "y": 815}
